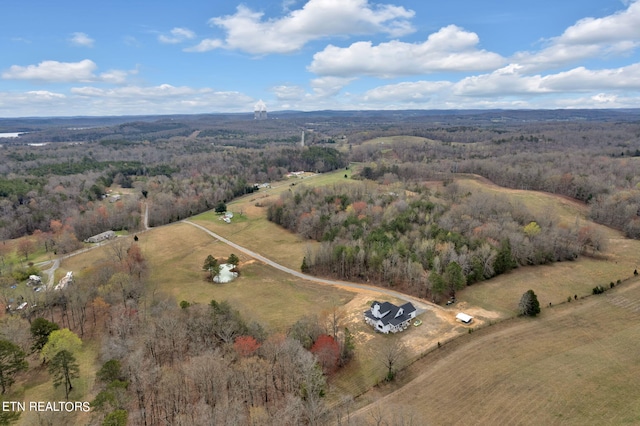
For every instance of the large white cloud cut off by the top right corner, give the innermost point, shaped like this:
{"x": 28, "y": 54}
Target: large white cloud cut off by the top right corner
{"x": 611, "y": 35}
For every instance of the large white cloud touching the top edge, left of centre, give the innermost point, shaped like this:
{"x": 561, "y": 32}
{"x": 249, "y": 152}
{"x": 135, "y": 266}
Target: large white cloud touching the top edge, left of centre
{"x": 247, "y": 30}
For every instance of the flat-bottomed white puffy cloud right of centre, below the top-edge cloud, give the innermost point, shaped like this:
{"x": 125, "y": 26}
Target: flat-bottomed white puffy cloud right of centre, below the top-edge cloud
{"x": 449, "y": 49}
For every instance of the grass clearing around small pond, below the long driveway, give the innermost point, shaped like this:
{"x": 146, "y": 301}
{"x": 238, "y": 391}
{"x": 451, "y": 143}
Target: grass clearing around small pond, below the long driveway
{"x": 258, "y": 293}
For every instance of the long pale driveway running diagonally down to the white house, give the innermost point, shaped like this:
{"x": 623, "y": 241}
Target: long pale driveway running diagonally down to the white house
{"x": 420, "y": 305}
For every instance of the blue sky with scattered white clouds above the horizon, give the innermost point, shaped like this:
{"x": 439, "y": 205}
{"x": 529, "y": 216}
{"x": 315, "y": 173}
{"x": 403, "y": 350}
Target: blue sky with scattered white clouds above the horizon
{"x": 119, "y": 57}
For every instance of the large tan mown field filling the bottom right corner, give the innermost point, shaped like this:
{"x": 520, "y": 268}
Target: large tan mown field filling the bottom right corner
{"x": 574, "y": 365}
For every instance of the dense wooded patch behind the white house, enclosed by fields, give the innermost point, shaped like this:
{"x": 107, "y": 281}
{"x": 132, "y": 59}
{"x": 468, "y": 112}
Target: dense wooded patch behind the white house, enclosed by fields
{"x": 417, "y": 241}
